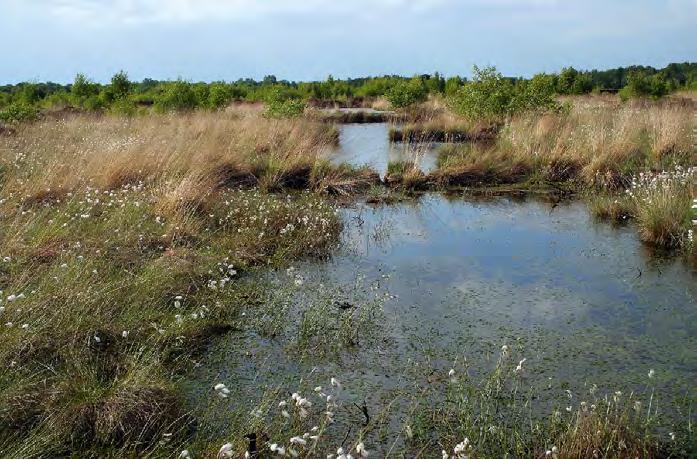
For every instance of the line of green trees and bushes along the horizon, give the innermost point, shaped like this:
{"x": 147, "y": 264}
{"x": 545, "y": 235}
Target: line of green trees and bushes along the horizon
{"x": 121, "y": 95}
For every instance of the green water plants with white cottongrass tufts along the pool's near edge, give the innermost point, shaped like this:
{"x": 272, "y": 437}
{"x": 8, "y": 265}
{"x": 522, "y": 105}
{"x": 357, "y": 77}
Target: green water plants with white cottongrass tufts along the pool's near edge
{"x": 458, "y": 414}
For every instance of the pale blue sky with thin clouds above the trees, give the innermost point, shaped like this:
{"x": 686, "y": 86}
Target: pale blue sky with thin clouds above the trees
{"x": 209, "y": 40}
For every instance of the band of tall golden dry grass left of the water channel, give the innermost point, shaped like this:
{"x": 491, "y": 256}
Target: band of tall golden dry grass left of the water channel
{"x": 196, "y": 150}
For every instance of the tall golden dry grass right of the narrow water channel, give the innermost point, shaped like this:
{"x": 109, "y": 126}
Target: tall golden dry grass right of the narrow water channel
{"x": 597, "y": 143}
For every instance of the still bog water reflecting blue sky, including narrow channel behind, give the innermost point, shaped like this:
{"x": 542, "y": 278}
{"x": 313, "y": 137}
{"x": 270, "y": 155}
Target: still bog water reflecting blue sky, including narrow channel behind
{"x": 585, "y": 303}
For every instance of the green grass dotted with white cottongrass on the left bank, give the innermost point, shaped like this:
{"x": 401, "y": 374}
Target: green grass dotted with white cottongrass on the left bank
{"x": 105, "y": 298}
